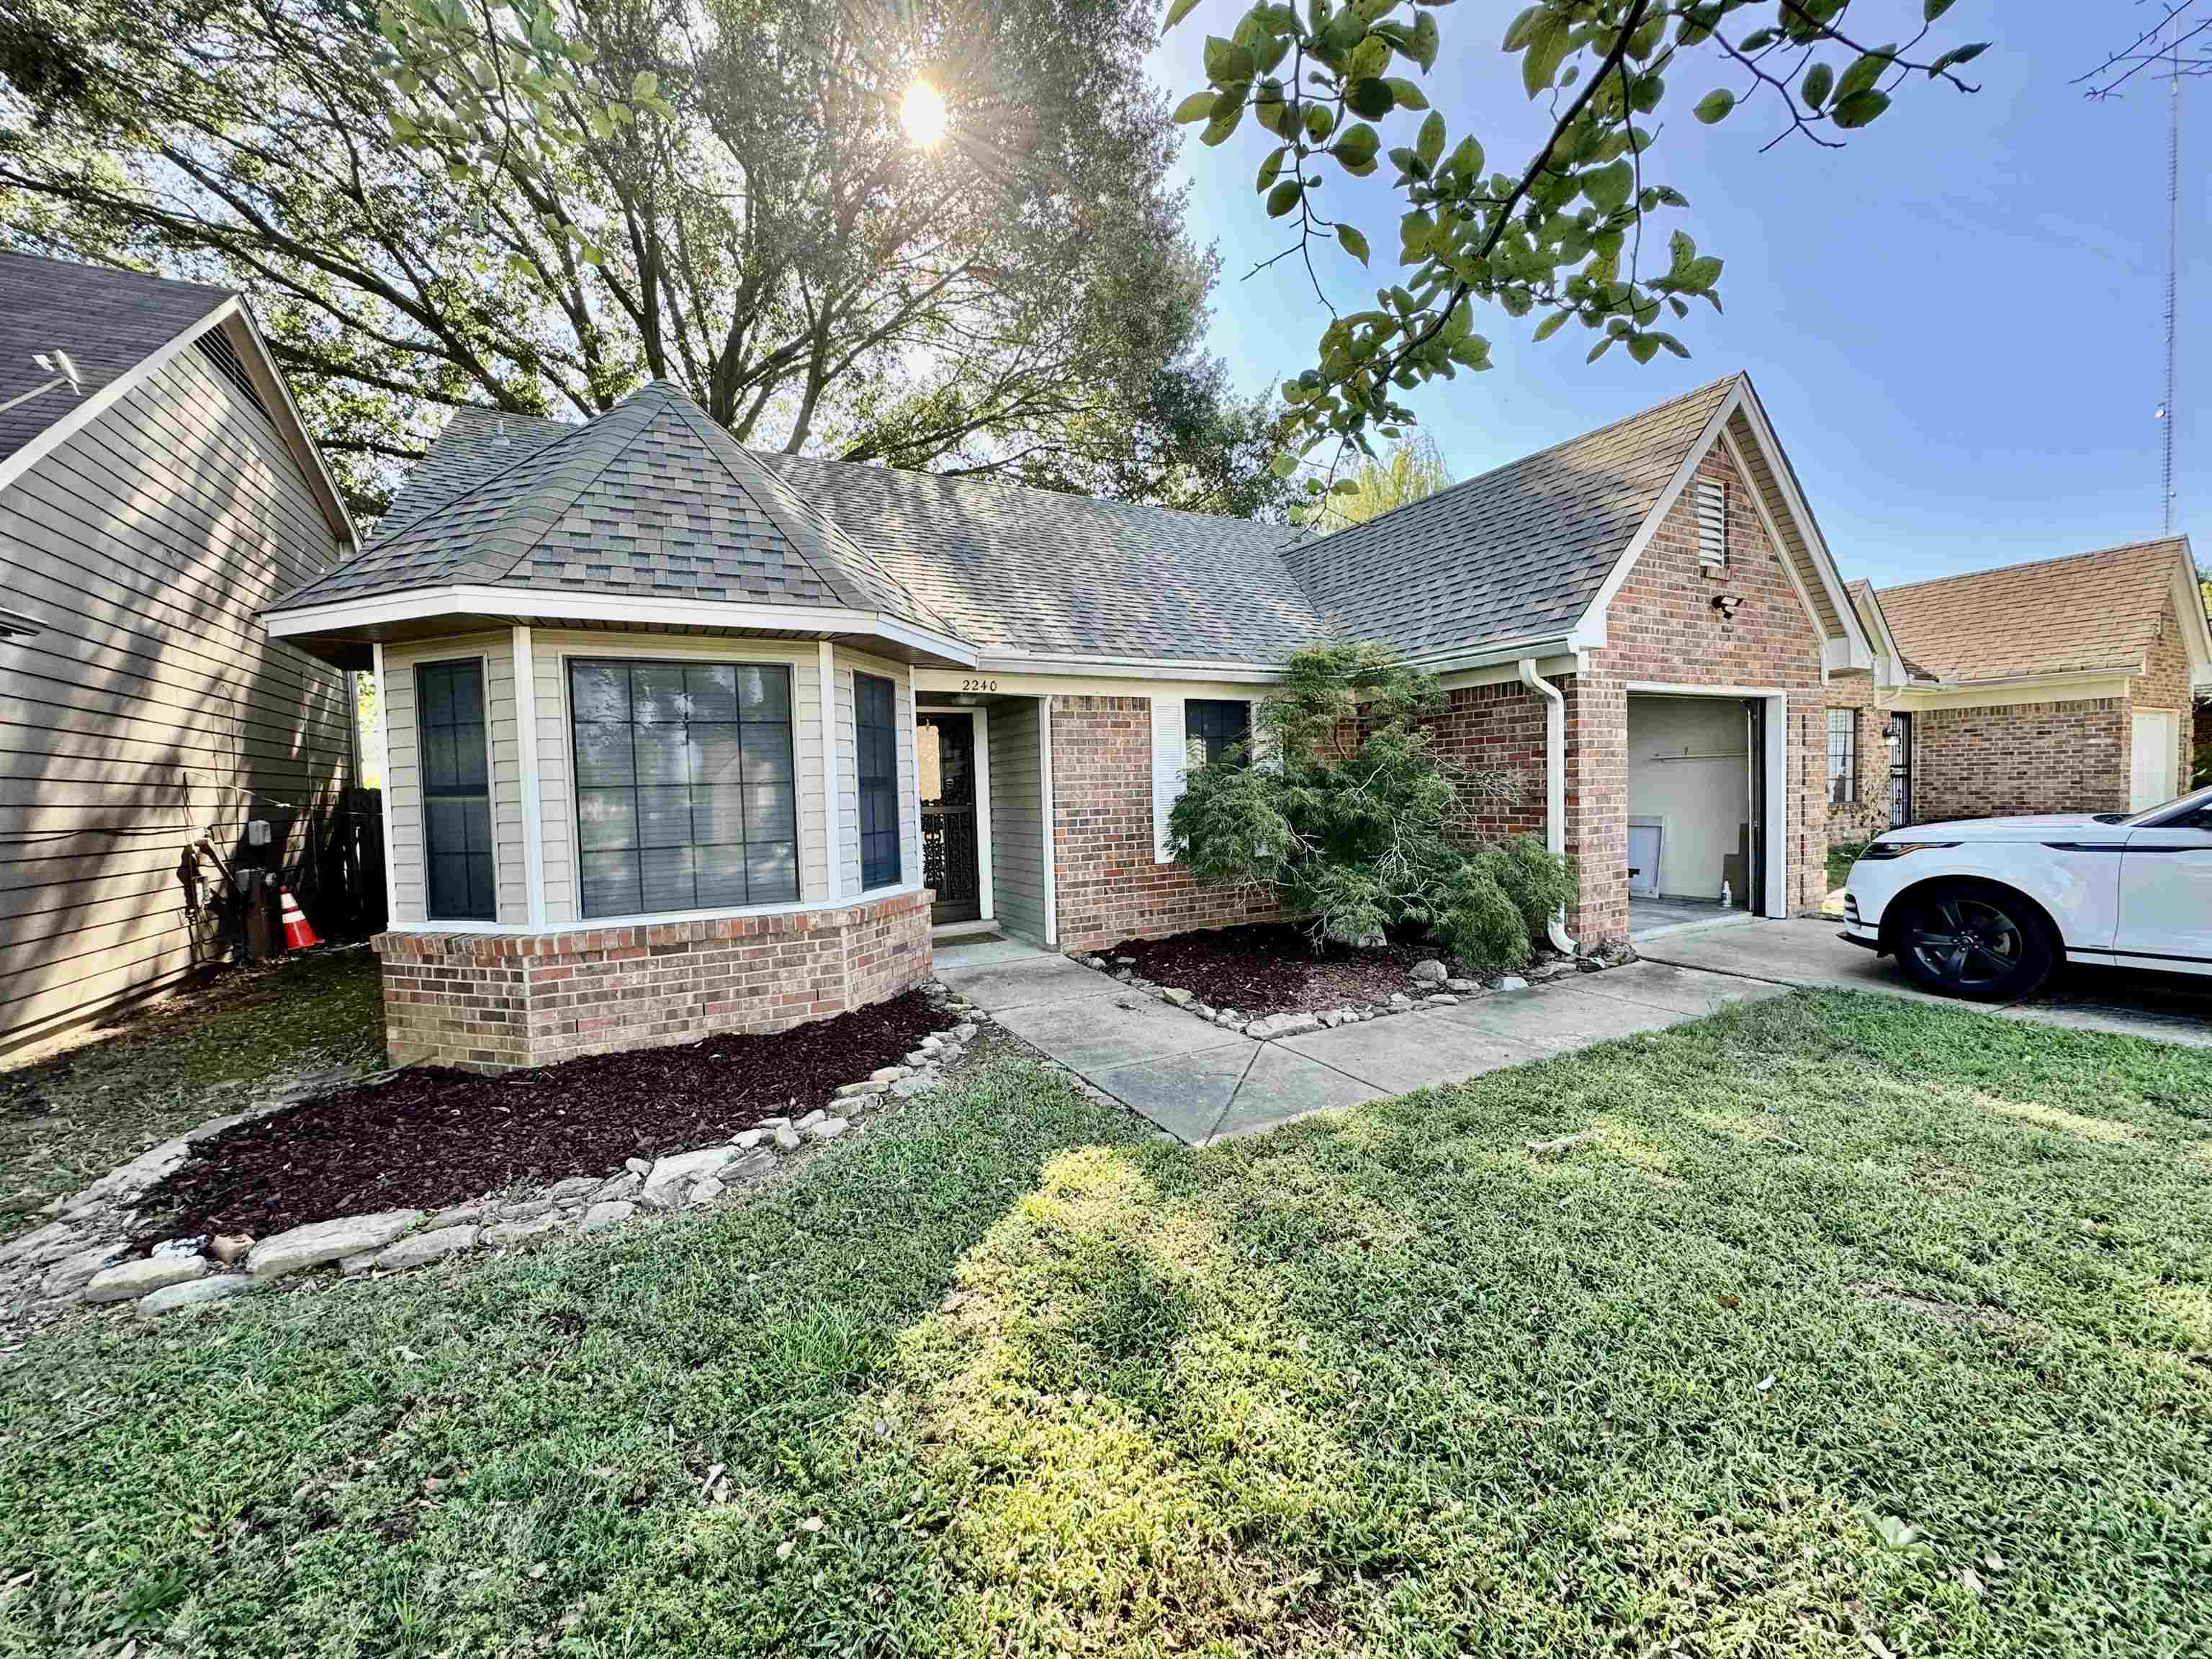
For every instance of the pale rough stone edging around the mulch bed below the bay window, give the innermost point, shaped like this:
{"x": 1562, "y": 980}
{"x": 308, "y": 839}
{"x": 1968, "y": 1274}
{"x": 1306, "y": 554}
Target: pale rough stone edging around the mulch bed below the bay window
{"x": 83, "y": 1258}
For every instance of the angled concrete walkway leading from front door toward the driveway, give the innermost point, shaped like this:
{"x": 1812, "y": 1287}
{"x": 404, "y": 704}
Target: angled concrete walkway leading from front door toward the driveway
{"x": 1202, "y": 1083}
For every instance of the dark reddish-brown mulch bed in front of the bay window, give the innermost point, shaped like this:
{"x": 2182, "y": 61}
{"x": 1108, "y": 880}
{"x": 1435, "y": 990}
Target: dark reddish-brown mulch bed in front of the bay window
{"x": 435, "y": 1136}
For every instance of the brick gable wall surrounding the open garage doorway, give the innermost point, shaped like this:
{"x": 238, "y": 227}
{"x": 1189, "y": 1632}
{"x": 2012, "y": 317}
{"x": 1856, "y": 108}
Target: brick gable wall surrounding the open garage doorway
{"x": 1665, "y": 629}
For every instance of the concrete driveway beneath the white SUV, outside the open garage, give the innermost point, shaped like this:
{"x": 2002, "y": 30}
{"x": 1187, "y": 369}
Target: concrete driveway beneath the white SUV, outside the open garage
{"x": 1808, "y": 952}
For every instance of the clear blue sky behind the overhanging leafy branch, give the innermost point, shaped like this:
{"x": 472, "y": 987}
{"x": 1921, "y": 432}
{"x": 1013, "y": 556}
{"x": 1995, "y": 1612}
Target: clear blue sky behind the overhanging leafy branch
{"x": 1957, "y": 324}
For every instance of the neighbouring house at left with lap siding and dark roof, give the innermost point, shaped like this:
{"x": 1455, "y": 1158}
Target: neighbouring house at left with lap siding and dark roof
{"x": 156, "y": 492}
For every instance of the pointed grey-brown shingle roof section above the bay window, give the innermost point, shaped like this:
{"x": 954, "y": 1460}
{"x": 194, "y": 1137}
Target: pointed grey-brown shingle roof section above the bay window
{"x": 651, "y": 499}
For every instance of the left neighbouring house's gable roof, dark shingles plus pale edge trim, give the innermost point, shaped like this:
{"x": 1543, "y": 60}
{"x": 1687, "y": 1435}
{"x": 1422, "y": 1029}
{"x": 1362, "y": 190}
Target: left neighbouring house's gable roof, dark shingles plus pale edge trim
{"x": 121, "y": 326}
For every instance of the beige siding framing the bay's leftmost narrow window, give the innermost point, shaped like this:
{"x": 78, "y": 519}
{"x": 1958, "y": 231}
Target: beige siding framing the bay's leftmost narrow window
{"x": 406, "y": 778}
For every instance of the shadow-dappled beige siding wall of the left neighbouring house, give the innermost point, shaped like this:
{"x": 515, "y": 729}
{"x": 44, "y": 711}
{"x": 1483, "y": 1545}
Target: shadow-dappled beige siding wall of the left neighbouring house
{"x": 152, "y": 707}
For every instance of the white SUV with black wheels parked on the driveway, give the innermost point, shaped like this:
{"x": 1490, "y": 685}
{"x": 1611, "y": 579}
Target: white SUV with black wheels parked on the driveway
{"x": 1983, "y": 908}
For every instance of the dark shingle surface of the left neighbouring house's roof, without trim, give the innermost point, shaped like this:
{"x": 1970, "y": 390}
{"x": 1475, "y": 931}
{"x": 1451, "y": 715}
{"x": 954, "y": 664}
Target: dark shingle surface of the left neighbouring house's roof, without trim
{"x": 109, "y": 322}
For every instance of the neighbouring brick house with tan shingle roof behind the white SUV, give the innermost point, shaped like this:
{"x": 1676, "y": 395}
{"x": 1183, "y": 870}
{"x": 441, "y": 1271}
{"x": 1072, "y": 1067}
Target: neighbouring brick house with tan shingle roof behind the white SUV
{"x": 2052, "y": 687}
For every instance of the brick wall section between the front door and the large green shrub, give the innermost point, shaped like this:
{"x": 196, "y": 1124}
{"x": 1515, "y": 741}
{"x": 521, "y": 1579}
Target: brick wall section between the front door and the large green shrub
{"x": 1105, "y": 870}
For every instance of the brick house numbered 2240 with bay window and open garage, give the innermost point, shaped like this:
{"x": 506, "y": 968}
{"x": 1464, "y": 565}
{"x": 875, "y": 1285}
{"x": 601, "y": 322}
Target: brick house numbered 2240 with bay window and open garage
{"x": 685, "y": 738}
